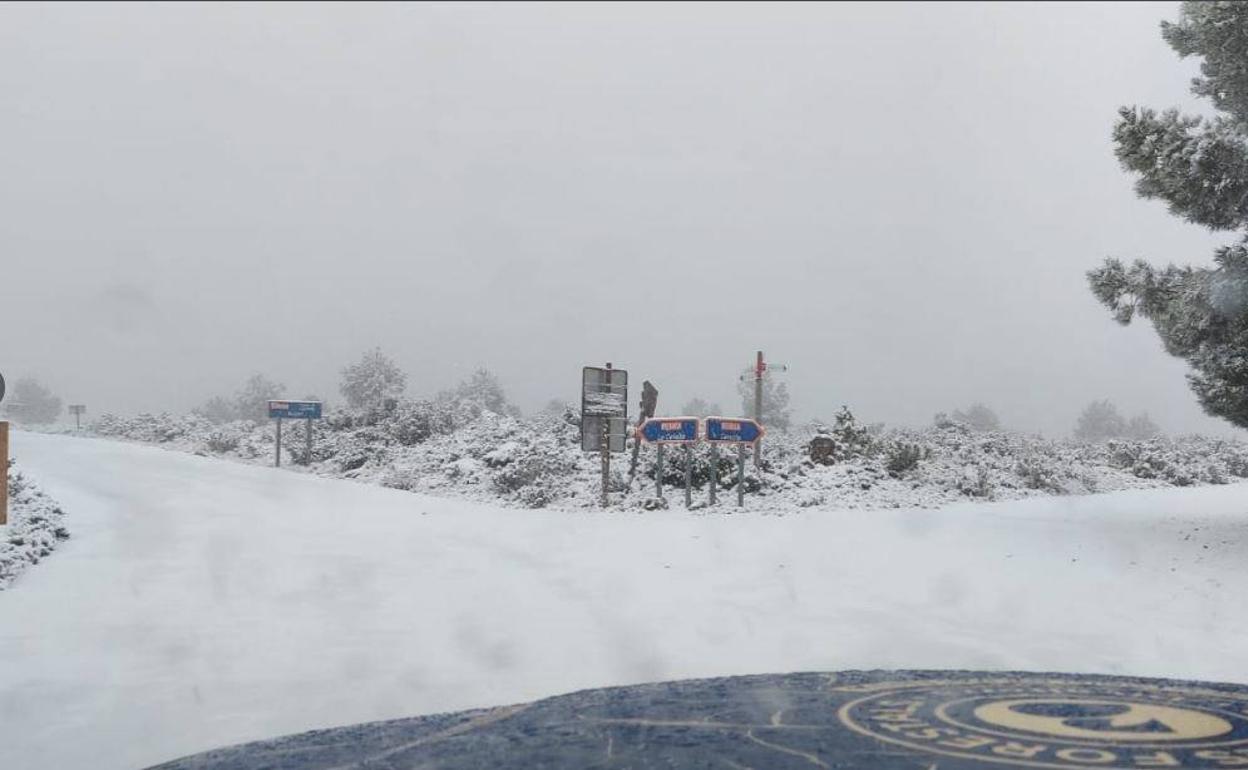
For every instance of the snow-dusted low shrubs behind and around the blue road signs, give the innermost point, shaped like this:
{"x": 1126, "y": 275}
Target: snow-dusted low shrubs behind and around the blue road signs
{"x": 461, "y": 449}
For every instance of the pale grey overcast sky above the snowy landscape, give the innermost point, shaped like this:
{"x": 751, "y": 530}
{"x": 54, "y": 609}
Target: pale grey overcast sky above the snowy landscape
{"x": 898, "y": 202}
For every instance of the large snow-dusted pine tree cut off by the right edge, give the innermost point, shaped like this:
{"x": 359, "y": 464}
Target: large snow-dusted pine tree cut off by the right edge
{"x": 1200, "y": 168}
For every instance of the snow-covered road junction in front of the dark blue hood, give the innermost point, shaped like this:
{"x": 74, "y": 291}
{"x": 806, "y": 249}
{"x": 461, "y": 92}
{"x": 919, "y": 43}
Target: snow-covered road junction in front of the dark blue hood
{"x": 203, "y": 603}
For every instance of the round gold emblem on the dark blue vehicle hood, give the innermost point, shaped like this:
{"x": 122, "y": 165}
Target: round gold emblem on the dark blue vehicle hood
{"x": 1058, "y": 723}
